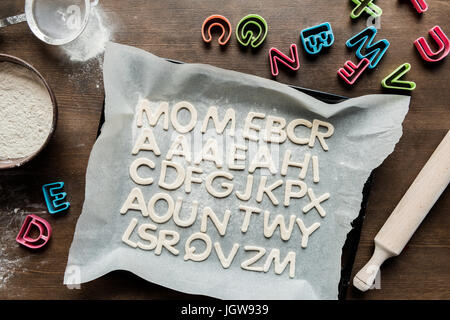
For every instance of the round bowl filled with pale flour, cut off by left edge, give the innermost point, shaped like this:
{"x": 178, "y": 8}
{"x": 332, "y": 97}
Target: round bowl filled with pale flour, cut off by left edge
{"x": 28, "y": 112}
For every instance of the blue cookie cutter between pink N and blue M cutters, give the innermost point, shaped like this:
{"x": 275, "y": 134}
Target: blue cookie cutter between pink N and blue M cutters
{"x": 317, "y": 37}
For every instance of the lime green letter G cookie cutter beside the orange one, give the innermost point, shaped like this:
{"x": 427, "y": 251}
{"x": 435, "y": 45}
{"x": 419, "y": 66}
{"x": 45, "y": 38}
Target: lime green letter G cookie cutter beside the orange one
{"x": 245, "y": 30}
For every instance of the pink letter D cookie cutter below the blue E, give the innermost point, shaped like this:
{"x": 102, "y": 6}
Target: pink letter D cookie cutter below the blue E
{"x": 24, "y": 236}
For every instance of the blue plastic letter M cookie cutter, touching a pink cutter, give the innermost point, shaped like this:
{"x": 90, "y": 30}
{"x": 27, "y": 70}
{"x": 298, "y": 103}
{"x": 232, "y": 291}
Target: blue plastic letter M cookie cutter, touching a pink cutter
{"x": 373, "y": 51}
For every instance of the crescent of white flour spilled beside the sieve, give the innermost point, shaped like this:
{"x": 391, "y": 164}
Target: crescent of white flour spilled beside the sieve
{"x": 92, "y": 41}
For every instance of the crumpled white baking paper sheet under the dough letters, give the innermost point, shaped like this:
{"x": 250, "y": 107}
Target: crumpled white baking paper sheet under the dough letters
{"x": 366, "y": 130}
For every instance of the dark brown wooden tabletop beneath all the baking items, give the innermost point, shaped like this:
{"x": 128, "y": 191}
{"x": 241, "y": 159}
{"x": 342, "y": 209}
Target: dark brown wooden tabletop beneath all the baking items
{"x": 171, "y": 29}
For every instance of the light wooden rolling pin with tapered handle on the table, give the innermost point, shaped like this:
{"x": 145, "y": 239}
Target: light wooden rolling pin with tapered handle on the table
{"x": 409, "y": 213}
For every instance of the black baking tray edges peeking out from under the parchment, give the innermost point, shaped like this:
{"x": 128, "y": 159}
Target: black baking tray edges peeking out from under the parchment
{"x": 351, "y": 244}
